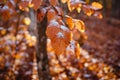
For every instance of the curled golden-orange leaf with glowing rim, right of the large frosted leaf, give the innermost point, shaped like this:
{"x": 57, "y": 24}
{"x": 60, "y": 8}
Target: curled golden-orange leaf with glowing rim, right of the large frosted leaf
{"x": 79, "y": 25}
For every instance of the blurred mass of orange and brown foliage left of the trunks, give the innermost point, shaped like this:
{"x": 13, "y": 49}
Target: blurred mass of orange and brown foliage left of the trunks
{"x": 16, "y": 49}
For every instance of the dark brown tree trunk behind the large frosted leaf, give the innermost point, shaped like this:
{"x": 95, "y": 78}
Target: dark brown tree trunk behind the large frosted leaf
{"x": 42, "y": 58}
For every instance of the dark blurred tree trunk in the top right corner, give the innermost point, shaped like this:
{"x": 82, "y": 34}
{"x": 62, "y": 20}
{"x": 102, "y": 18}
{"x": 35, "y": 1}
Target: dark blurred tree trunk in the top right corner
{"x": 116, "y": 8}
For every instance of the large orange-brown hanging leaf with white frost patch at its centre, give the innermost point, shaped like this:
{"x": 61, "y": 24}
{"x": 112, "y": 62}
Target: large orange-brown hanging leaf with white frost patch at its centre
{"x": 59, "y": 38}
